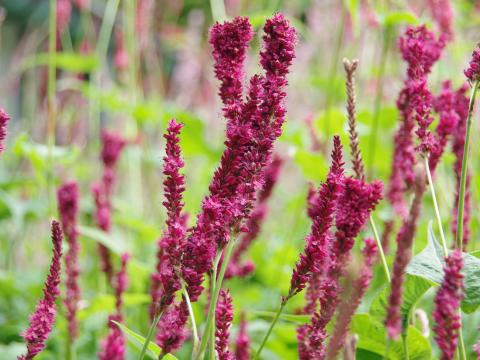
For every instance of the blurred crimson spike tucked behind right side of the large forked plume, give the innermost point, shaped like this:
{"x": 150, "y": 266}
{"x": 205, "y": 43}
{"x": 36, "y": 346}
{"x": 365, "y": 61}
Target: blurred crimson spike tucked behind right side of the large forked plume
{"x": 253, "y": 224}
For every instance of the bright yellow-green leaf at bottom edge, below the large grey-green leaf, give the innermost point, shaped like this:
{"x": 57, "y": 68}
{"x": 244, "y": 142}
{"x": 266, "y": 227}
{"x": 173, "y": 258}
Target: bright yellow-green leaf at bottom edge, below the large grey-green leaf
{"x": 372, "y": 337}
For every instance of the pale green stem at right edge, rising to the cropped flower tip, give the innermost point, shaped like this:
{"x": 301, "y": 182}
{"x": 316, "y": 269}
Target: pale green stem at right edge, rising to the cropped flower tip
{"x": 463, "y": 179}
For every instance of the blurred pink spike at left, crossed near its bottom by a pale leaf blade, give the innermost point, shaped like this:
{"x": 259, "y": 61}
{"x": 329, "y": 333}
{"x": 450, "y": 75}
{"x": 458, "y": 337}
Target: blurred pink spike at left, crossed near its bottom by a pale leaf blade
{"x": 112, "y": 145}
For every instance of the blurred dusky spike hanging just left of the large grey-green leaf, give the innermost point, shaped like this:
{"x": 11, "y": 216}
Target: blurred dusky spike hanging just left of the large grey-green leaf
{"x": 405, "y": 238}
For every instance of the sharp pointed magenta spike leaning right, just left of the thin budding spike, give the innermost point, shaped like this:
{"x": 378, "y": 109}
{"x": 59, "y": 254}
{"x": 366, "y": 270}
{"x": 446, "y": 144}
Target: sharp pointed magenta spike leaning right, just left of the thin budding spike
{"x": 317, "y": 247}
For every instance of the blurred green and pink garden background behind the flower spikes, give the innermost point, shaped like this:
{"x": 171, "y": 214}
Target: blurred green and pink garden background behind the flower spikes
{"x": 155, "y": 65}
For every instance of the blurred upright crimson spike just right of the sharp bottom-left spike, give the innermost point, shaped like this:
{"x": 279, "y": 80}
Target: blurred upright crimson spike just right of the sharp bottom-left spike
{"x": 67, "y": 197}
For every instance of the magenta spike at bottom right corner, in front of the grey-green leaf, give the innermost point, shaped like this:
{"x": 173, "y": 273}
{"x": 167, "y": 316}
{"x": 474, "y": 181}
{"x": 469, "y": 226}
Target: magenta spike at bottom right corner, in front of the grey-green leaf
{"x": 447, "y": 302}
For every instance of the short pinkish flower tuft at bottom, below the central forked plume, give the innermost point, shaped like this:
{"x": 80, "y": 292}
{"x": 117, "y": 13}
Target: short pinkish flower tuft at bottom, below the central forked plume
{"x": 171, "y": 331}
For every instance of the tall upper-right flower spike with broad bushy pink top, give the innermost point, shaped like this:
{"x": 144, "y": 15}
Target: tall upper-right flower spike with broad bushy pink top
{"x": 420, "y": 50}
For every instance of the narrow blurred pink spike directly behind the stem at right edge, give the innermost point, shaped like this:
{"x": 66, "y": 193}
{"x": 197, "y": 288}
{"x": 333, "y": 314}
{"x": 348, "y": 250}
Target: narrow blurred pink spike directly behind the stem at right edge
{"x": 461, "y": 108}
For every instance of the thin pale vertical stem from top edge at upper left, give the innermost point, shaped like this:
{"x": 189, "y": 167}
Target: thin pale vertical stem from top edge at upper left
{"x": 51, "y": 121}
